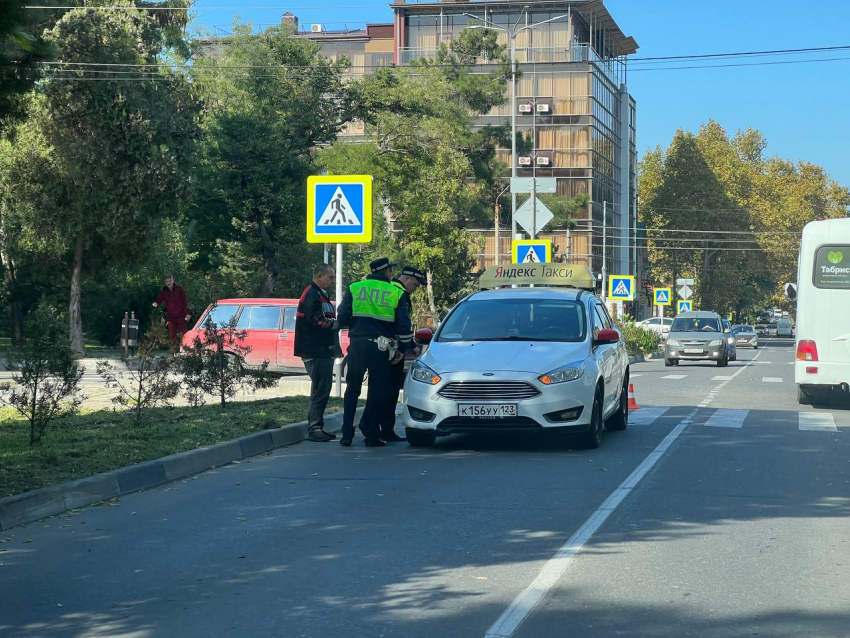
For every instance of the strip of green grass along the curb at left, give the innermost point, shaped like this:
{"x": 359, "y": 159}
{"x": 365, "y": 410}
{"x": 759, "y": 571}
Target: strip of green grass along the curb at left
{"x": 102, "y": 440}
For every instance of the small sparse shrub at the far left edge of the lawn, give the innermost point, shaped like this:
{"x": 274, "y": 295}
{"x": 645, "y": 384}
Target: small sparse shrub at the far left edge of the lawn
{"x": 47, "y": 376}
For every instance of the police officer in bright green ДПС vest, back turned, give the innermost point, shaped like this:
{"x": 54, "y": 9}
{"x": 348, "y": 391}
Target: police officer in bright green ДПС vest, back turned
{"x": 380, "y": 332}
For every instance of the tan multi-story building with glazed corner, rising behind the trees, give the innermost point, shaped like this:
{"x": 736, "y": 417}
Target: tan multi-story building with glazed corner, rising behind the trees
{"x": 574, "y": 66}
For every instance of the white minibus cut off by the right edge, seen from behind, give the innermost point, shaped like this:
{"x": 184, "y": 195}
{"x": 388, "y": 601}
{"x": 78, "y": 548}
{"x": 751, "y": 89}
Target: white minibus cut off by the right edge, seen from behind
{"x": 823, "y": 310}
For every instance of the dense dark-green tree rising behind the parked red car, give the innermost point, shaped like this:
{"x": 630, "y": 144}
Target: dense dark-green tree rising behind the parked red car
{"x": 260, "y": 135}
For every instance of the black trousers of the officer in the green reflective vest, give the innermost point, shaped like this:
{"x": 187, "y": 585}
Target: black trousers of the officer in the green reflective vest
{"x": 364, "y": 356}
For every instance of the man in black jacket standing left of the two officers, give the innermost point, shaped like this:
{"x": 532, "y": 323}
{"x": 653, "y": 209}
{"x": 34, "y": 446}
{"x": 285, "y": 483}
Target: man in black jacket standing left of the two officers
{"x": 317, "y": 343}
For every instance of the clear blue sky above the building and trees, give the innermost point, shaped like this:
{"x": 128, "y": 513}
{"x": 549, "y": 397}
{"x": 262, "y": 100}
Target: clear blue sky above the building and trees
{"x": 802, "y": 109}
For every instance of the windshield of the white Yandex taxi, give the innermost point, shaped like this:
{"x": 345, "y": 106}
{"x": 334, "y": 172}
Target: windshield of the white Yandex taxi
{"x": 515, "y": 319}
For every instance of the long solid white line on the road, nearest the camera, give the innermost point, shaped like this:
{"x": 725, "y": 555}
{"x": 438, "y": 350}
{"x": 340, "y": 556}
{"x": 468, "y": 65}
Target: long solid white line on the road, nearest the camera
{"x": 527, "y": 600}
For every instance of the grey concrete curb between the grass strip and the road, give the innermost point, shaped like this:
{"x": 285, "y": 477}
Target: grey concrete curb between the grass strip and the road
{"x": 56, "y": 499}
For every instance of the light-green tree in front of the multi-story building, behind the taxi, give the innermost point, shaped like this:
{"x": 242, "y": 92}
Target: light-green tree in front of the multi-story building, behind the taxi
{"x": 432, "y": 169}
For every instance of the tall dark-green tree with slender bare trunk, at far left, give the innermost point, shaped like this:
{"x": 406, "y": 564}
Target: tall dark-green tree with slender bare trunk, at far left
{"x": 120, "y": 145}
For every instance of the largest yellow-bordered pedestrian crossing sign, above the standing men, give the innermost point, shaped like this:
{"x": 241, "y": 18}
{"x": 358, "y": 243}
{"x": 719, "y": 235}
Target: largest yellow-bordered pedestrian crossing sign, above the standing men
{"x": 339, "y": 209}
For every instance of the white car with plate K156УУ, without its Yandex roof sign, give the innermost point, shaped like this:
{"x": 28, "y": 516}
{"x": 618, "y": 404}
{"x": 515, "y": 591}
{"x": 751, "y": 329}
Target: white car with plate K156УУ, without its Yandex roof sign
{"x": 521, "y": 359}
